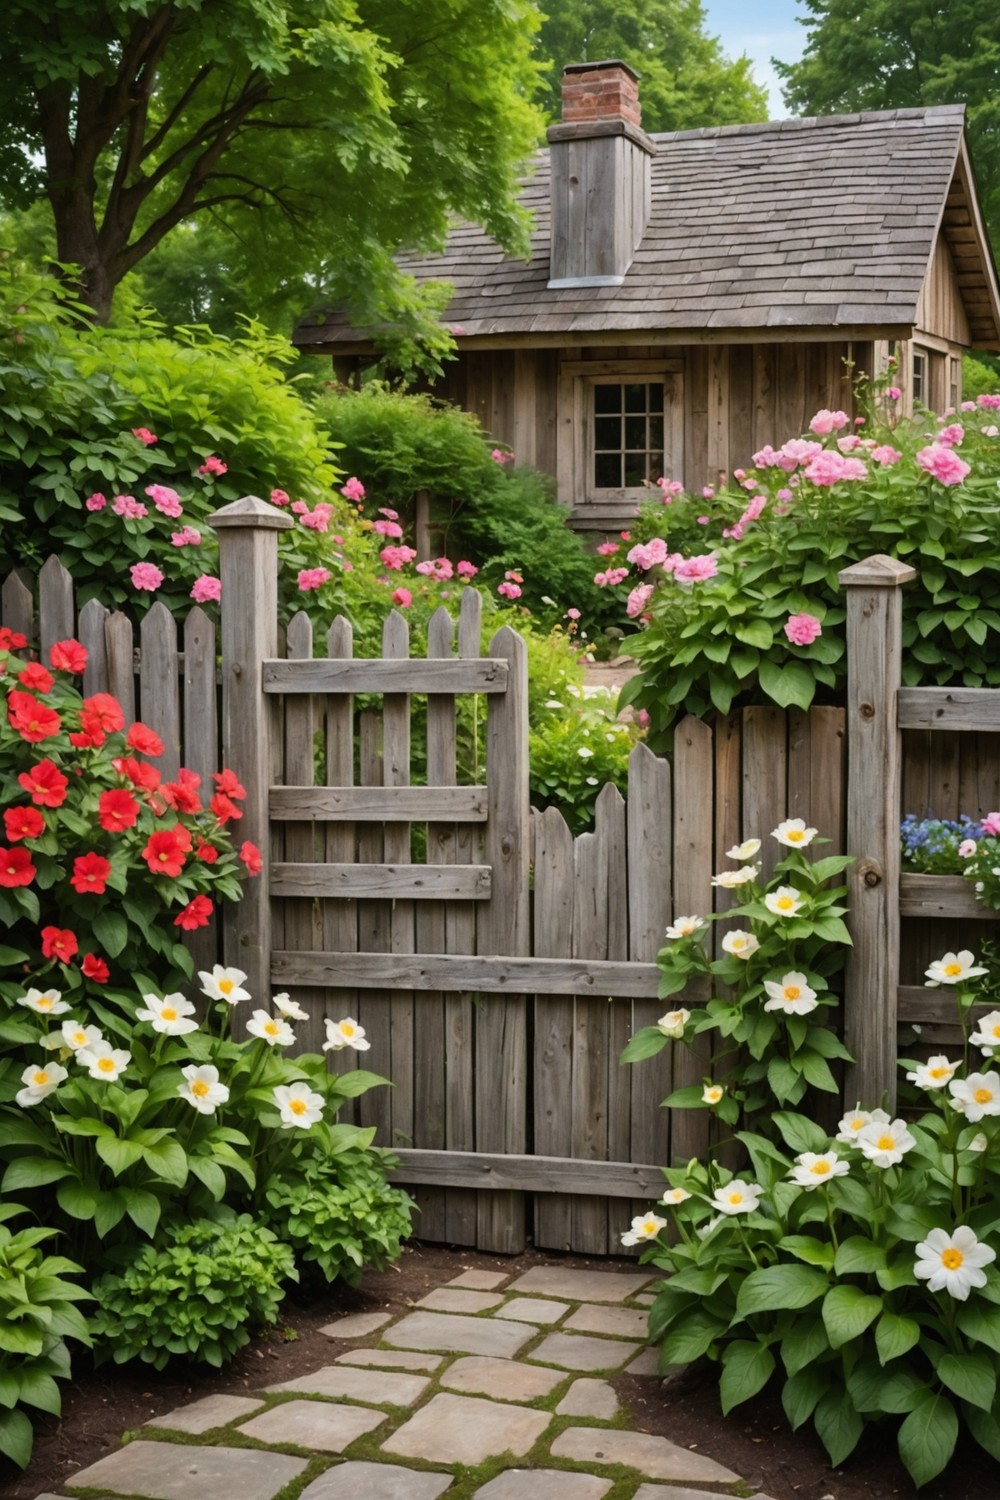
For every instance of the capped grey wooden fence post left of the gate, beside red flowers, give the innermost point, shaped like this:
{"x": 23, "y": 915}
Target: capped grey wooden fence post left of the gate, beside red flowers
{"x": 248, "y": 568}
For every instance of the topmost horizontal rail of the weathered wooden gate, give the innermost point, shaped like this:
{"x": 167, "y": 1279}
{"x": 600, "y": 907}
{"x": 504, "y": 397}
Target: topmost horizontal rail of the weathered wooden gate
{"x": 457, "y": 676}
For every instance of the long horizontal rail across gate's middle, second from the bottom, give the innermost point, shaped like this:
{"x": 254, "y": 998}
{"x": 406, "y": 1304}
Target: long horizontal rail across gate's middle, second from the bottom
{"x": 482, "y": 974}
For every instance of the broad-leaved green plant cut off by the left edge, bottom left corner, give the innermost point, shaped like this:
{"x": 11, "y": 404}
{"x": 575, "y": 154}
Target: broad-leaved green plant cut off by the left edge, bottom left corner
{"x": 38, "y": 1312}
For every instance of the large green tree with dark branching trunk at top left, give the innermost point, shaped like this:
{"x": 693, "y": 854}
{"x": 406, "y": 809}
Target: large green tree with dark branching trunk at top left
{"x": 322, "y": 134}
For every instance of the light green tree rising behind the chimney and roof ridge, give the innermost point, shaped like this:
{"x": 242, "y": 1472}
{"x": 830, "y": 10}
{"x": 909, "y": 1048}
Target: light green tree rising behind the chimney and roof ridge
{"x": 686, "y": 79}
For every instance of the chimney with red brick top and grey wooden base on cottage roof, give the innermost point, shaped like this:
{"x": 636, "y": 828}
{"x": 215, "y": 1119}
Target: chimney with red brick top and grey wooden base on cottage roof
{"x": 600, "y": 176}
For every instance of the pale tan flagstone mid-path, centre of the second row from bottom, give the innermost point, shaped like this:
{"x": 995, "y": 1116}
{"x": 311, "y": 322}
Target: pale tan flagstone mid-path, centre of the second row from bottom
{"x": 467, "y": 1430}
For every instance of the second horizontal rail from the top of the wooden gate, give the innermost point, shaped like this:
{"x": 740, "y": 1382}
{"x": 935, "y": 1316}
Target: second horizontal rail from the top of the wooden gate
{"x": 380, "y": 805}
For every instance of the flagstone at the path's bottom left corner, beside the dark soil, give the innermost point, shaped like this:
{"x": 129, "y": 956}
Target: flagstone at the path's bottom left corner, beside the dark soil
{"x": 179, "y": 1471}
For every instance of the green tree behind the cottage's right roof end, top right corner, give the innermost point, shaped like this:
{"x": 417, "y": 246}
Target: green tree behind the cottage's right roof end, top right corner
{"x": 899, "y": 55}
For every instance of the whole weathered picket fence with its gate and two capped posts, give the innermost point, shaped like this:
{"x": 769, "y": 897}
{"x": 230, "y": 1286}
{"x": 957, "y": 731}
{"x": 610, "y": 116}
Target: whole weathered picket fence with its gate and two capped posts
{"x": 497, "y": 964}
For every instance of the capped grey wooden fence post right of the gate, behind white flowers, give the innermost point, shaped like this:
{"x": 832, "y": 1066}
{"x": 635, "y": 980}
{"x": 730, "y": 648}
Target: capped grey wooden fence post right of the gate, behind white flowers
{"x": 875, "y": 664}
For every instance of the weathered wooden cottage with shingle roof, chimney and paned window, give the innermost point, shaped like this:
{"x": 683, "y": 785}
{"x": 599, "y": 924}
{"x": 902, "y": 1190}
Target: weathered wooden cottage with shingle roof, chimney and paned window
{"x": 696, "y": 295}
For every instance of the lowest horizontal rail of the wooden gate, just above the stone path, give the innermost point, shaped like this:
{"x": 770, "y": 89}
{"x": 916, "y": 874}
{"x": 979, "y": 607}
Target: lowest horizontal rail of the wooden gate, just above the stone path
{"x": 614, "y": 1180}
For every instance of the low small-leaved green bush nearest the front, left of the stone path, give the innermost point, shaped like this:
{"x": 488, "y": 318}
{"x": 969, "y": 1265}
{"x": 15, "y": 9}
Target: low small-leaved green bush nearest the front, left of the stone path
{"x": 200, "y": 1294}
